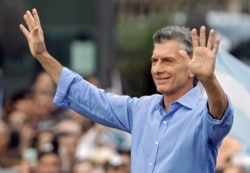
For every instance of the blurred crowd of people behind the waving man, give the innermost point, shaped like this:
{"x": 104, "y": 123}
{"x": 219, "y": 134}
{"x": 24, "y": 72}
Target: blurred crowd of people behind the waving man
{"x": 37, "y": 137}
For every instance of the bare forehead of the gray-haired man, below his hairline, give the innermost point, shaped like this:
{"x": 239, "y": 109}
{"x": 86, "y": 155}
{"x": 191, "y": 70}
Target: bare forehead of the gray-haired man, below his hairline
{"x": 165, "y": 48}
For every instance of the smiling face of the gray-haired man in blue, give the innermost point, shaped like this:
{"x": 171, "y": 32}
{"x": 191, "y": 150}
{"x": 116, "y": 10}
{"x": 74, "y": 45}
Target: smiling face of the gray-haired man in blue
{"x": 169, "y": 69}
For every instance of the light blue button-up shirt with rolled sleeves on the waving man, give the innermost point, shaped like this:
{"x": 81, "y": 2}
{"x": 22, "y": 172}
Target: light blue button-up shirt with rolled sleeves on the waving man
{"x": 184, "y": 140}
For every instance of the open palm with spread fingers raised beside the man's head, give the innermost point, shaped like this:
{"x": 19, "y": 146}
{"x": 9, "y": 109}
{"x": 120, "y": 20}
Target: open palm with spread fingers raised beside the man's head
{"x": 202, "y": 63}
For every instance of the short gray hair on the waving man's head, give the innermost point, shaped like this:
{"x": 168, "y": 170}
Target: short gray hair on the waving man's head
{"x": 179, "y": 33}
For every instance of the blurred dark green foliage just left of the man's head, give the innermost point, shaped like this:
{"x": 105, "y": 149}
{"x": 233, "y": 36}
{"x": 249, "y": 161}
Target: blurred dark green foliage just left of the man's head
{"x": 135, "y": 47}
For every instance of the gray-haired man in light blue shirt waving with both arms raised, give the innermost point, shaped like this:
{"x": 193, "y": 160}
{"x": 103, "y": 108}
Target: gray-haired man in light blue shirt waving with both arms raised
{"x": 177, "y": 131}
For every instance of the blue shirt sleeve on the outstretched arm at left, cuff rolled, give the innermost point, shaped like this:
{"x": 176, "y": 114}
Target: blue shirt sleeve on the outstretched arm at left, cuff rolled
{"x": 105, "y": 108}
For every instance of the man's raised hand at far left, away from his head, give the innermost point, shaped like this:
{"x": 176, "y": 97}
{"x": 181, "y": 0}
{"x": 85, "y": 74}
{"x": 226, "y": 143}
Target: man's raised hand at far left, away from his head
{"x": 33, "y": 33}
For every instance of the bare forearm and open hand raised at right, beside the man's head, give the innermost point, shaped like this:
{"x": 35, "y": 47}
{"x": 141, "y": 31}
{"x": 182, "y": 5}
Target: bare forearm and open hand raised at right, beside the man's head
{"x": 202, "y": 65}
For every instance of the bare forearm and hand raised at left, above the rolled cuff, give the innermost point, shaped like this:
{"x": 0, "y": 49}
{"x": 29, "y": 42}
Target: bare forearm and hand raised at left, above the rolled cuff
{"x": 35, "y": 37}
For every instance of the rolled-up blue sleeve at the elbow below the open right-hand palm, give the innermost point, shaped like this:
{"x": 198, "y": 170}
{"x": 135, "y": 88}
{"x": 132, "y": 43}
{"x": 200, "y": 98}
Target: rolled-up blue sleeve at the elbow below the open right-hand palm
{"x": 219, "y": 128}
